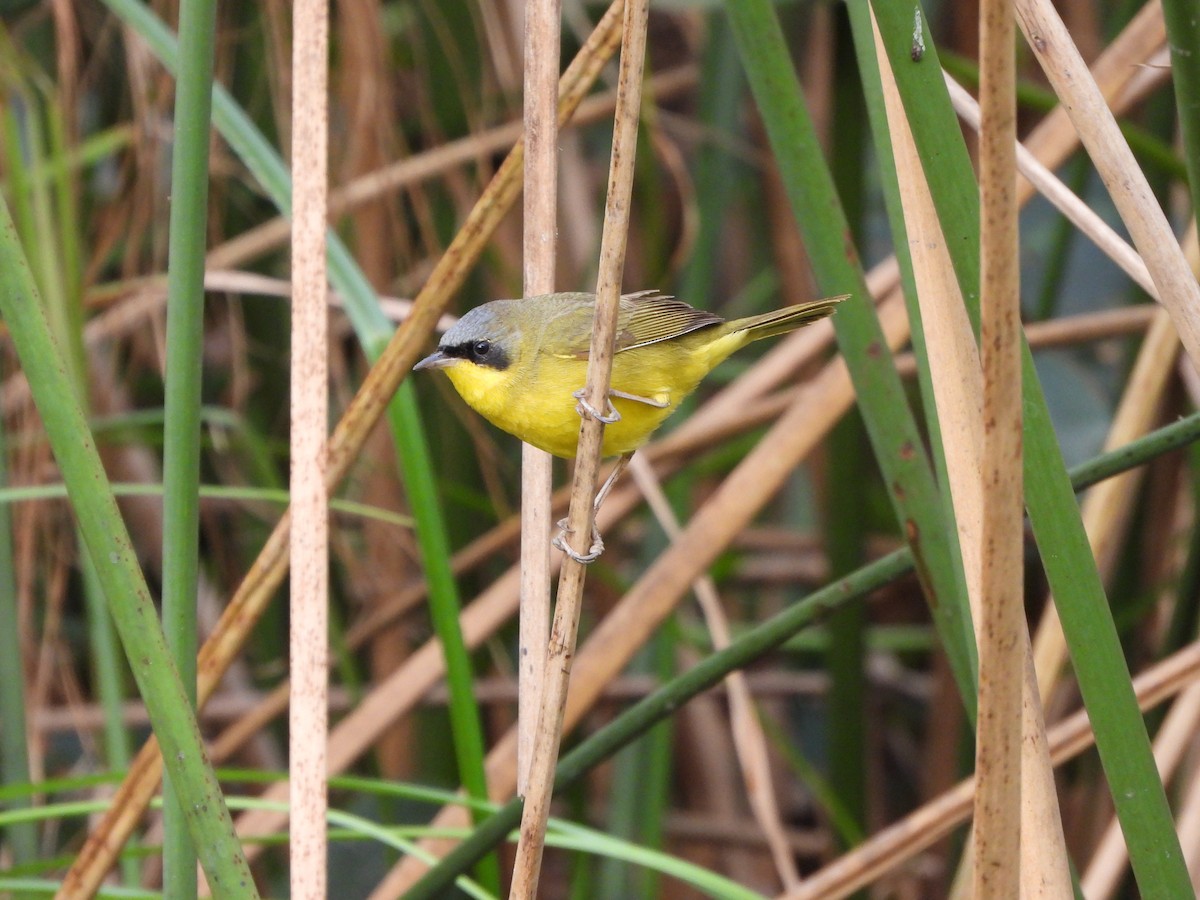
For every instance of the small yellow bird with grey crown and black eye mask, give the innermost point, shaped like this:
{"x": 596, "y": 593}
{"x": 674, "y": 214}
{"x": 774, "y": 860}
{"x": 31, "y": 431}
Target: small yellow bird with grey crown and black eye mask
{"x": 523, "y": 365}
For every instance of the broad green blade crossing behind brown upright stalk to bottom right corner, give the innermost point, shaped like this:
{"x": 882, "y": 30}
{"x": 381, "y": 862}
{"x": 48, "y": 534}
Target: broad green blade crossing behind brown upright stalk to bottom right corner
{"x": 1079, "y": 595}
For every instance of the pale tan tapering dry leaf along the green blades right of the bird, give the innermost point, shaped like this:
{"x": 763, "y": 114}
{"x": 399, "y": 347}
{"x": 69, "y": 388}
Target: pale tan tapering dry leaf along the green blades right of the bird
{"x": 958, "y": 389}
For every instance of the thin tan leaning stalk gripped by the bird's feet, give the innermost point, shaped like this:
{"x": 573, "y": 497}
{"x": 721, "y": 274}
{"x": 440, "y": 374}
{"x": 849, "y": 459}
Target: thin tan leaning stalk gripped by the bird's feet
{"x": 581, "y": 514}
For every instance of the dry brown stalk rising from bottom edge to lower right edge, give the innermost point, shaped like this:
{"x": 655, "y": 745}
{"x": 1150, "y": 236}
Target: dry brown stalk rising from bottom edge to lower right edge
{"x": 920, "y": 830}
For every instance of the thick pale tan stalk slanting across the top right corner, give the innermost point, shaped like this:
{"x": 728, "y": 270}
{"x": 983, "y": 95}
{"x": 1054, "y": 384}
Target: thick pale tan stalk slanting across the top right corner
{"x": 1101, "y": 136}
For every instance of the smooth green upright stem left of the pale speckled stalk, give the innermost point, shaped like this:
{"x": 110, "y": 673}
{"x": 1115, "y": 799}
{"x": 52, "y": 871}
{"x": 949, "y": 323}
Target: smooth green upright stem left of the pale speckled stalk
{"x": 182, "y": 425}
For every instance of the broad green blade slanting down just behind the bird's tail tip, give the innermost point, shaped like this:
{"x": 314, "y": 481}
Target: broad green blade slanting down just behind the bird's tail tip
{"x": 898, "y": 446}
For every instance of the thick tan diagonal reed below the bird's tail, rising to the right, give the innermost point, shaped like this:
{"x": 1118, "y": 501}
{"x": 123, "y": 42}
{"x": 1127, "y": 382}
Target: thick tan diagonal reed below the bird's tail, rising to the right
{"x": 754, "y": 483}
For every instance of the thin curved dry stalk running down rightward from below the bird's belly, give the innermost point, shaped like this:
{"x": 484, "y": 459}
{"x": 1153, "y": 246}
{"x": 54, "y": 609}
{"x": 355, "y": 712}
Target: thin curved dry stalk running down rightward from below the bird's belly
{"x": 749, "y": 741}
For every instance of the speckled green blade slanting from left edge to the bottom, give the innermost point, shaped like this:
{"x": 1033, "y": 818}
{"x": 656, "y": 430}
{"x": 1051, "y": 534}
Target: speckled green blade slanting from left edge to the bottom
{"x": 109, "y": 542}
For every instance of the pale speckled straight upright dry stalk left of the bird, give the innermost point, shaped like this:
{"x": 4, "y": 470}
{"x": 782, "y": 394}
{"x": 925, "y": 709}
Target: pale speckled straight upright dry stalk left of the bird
{"x": 309, "y": 641}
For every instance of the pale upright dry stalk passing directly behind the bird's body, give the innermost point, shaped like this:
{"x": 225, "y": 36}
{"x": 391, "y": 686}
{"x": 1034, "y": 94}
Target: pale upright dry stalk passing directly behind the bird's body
{"x": 542, "y": 53}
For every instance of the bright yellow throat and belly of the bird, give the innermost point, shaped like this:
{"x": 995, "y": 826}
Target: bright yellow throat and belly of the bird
{"x": 536, "y": 404}
